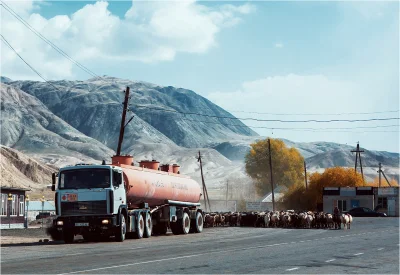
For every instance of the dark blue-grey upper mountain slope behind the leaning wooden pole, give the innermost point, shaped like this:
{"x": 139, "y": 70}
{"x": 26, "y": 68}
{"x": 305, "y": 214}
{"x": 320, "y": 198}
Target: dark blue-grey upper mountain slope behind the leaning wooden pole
{"x": 94, "y": 108}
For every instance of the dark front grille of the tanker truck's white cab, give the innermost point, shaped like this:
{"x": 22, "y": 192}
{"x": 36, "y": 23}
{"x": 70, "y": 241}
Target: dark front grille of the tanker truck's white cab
{"x": 84, "y": 207}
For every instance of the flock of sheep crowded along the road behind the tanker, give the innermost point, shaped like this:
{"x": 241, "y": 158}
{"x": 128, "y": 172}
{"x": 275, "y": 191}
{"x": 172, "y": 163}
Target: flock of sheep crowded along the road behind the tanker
{"x": 284, "y": 219}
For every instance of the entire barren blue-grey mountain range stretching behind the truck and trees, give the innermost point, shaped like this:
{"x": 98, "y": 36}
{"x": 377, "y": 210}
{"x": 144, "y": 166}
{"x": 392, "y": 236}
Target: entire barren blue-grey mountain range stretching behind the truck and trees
{"x": 65, "y": 122}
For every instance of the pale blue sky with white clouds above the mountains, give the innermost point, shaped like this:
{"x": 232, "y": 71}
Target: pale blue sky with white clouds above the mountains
{"x": 288, "y": 61}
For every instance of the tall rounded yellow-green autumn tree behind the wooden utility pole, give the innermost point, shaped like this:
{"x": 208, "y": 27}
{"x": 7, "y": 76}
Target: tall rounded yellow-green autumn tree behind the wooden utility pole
{"x": 287, "y": 165}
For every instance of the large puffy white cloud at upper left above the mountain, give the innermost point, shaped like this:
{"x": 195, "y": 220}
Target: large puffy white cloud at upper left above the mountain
{"x": 149, "y": 32}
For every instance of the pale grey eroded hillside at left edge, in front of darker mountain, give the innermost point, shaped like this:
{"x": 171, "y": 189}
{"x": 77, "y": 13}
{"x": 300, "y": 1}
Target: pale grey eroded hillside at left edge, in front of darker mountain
{"x": 27, "y": 125}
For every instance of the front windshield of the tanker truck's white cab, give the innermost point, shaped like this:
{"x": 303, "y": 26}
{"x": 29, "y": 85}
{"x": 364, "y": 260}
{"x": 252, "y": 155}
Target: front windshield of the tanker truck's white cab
{"x": 85, "y": 178}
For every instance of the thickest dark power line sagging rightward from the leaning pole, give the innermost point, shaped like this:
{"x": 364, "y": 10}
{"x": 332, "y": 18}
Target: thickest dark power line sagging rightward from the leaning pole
{"x": 269, "y": 120}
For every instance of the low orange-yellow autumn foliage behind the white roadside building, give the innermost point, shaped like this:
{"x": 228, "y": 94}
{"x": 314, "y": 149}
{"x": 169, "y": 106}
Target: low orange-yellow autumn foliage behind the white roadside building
{"x": 299, "y": 198}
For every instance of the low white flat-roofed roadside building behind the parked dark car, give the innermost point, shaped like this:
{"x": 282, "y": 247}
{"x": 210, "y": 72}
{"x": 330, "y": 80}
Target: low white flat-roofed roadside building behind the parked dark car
{"x": 385, "y": 199}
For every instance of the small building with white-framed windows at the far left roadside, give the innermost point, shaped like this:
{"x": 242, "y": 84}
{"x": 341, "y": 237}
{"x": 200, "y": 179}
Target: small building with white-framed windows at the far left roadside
{"x": 12, "y": 207}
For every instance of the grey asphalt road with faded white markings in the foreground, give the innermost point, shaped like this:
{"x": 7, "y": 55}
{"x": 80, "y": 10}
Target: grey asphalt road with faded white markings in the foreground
{"x": 370, "y": 246}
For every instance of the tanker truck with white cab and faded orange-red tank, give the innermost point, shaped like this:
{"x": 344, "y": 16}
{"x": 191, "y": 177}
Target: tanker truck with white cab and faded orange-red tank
{"x": 123, "y": 200}
